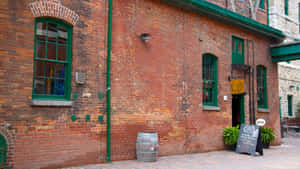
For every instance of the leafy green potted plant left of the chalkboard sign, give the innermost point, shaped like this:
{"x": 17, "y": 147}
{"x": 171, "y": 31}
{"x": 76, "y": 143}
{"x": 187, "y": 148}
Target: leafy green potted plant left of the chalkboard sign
{"x": 231, "y": 136}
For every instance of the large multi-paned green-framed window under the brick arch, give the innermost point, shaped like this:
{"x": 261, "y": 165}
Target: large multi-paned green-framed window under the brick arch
{"x": 52, "y": 59}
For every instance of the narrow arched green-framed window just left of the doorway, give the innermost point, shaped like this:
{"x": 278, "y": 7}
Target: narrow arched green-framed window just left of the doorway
{"x": 210, "y": 80}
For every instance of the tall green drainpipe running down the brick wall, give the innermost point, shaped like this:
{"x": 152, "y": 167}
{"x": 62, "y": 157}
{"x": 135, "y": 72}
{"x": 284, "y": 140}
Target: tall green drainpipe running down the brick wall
{"x": 108, "y": 85}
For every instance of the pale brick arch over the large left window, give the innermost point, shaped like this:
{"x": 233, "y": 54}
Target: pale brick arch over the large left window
{"x": 53, "y": 8}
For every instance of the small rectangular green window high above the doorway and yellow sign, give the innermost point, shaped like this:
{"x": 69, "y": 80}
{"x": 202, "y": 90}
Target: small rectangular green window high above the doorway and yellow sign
{"x": 237, "y": 50}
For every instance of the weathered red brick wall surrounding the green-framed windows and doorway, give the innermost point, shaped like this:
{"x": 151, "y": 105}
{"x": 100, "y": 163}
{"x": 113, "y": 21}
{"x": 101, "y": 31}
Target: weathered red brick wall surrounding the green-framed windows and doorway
{"x": 156, "y": 86}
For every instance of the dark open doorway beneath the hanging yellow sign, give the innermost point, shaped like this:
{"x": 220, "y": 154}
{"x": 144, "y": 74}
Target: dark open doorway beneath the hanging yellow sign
{"x": 238, "y": 110}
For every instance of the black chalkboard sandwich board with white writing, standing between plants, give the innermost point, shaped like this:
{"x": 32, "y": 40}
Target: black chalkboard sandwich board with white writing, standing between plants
{"x": 249, "y": 140}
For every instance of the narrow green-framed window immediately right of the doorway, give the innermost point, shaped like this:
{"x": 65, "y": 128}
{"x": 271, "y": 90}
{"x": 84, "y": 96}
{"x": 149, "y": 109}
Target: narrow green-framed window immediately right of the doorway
{"x": 261, "y": 79}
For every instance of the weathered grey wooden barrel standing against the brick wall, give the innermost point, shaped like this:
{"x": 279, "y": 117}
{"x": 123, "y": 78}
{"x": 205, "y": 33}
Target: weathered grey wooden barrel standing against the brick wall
{"x": 147, "y": 147}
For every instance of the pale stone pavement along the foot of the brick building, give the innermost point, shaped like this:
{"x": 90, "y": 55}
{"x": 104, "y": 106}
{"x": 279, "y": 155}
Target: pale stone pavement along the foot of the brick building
{"x": 286, "y": 156}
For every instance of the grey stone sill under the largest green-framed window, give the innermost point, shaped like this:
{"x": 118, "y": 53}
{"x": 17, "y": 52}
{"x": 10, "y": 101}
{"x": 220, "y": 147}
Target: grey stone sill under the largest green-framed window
{"x": 52, "y": 103}
